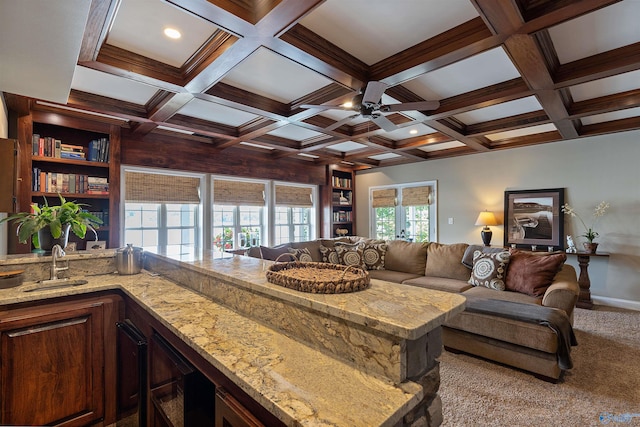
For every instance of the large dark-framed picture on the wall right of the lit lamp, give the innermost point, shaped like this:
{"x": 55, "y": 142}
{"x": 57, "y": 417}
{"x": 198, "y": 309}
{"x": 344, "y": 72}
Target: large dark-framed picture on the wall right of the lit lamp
{"x": 534, "y": 218}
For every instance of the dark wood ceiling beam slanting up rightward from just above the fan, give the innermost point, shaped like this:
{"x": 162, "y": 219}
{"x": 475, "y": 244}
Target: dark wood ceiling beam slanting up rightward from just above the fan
{"x": 451, "y": 46}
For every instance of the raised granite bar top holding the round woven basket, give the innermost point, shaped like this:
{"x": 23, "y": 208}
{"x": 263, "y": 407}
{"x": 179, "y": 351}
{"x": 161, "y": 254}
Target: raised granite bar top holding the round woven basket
{"x": 405, "y": 311}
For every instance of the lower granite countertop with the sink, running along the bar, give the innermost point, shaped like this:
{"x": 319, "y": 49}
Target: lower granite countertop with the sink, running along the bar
{"x": 286, "y": 377}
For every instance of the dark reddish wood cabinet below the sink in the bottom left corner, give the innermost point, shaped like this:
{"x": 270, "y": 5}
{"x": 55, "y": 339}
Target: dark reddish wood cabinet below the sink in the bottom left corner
{"x": 57, "y": 362}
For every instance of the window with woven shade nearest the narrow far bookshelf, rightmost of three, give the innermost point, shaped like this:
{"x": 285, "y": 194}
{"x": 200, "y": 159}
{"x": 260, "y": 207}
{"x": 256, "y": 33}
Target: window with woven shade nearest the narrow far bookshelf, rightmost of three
{"x": 293, "y": 214}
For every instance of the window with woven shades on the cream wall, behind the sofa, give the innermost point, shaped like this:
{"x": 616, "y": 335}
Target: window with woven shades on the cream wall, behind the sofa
{"x": 404, "y": 212}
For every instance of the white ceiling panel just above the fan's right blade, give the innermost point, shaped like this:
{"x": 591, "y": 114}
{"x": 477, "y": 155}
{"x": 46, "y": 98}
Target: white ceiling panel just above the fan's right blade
{"x": 490, "y": 67}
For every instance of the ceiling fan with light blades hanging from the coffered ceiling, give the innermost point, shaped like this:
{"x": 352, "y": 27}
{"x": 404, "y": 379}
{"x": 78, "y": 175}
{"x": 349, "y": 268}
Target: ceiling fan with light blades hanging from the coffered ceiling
{"x": 369, "y": 105}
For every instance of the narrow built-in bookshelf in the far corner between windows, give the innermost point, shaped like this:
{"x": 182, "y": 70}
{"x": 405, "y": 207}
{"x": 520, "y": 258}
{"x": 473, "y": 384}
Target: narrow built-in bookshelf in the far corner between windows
{"x": 339, "y": 202}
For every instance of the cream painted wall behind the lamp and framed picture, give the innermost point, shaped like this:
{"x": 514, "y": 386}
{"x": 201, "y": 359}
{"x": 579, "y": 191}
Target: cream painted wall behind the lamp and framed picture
{"x": 590, "y": 169}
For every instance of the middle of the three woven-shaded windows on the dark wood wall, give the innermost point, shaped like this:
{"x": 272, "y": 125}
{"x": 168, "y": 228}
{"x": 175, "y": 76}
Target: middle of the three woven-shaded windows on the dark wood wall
{"x": 238, "y": 214}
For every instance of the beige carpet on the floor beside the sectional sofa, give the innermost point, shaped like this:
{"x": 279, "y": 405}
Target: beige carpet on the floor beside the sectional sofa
{"x": 605, "y": 380}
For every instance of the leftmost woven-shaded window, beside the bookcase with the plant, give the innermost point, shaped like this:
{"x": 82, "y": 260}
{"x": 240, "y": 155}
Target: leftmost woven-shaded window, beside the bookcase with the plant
{"x": 162, "y": 212}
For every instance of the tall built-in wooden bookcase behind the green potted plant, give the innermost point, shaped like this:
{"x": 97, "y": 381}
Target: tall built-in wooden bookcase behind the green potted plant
{"x": 56, "y": 157}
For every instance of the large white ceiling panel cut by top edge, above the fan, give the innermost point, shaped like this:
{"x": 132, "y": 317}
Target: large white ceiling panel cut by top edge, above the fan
{"x": 372, "y": 30}
